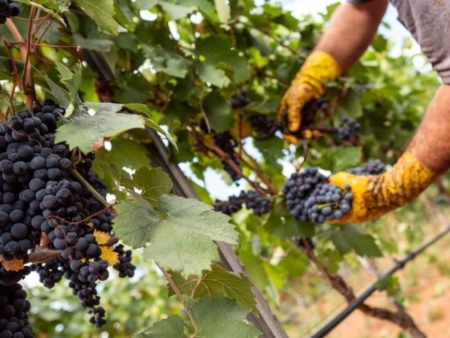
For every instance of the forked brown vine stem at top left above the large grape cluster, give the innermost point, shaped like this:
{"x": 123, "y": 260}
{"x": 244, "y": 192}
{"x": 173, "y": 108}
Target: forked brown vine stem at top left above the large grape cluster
{"x": 28, "y": 82}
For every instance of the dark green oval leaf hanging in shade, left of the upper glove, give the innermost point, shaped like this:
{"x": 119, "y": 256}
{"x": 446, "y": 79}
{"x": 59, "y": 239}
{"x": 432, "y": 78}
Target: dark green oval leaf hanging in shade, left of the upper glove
{"x": 218, "y": 112}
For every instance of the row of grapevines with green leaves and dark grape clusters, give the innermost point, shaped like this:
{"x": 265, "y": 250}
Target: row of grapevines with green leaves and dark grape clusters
{"x": 82, "y": 83}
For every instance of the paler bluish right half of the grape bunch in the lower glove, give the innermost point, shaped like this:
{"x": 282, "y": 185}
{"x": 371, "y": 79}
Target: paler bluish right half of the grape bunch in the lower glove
{"x": 328, "y": 202}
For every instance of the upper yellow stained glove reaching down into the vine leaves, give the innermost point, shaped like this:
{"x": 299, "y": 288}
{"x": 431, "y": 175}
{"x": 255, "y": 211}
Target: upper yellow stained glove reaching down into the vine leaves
{"x": 306, "y": 86}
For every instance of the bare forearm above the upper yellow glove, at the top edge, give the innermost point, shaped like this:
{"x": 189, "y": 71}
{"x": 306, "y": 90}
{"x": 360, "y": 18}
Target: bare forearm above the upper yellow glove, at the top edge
{"x": 351, "y": 31}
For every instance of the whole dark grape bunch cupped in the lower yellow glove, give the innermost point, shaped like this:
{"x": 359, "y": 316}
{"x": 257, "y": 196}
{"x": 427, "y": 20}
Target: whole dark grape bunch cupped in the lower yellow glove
{"x": 310, "y": 198}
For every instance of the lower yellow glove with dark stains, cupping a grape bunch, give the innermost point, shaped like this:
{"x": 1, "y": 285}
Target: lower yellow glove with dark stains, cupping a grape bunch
{"x": 373, "y": 196}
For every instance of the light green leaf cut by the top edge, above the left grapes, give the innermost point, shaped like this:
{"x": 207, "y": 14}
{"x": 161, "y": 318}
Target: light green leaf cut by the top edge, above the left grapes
{"x": 102, "y": 12}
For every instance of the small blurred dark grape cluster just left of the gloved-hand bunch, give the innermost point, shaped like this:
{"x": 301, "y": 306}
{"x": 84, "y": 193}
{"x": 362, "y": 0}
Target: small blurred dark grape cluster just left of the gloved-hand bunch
{"x": 252, "y": 199}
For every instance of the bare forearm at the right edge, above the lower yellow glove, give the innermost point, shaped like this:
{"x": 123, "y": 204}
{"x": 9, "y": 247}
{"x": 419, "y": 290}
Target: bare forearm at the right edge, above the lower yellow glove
{"x": 431, "y": 144}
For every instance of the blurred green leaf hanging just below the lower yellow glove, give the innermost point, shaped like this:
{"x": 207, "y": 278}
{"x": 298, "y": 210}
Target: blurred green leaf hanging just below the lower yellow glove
{"x": 352, "y": 238}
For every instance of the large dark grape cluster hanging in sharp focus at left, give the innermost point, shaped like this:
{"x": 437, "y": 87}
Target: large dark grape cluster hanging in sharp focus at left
{"x": 42, "y": 201}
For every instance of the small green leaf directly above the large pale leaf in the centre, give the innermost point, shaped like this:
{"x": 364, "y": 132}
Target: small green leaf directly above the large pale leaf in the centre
{"x": 152, "y": 183}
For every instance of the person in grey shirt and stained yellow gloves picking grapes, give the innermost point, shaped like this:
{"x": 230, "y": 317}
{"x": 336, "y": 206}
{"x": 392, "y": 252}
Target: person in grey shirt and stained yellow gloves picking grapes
{"x": 349, "y": 34}
